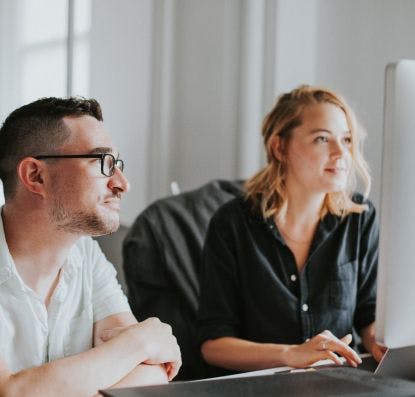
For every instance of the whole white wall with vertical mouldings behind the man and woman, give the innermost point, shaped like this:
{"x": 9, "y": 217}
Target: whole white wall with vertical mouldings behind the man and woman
{"x": 185, "y": 84}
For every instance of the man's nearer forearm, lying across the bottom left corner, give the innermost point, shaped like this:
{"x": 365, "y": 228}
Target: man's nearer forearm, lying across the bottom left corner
{"x": 79, "y": 375}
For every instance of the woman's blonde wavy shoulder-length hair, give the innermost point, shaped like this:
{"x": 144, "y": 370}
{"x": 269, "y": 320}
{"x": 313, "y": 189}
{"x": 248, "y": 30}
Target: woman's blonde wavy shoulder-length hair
{"x": 266, "y": 189}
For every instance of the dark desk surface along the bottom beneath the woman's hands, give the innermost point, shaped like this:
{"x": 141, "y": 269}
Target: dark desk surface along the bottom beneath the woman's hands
{"x": 326, "y": 382}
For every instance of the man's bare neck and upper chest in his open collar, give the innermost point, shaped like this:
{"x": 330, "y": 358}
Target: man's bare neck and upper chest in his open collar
{"x": 38, "y": 249}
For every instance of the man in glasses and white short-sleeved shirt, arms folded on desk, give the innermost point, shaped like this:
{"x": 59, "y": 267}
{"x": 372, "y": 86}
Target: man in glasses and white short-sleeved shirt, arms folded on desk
{"x": 65, "y": 325}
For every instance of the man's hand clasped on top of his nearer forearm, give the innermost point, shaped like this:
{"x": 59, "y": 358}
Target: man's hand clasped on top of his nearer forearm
{"x": 156, "y": 339}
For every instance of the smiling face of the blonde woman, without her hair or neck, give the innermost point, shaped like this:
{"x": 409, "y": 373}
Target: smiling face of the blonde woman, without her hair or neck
{"x": 318, "y": 153}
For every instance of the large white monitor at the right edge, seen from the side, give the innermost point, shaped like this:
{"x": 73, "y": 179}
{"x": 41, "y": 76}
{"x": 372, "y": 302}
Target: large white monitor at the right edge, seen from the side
{"x": 395, "y": 308}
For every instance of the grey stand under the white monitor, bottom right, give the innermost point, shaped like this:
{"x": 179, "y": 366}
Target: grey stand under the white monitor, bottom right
{"x": 398, "y": 363}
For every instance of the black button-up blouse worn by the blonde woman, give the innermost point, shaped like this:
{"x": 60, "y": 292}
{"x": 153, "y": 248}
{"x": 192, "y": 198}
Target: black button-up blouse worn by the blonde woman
{"x": 251, "y": 289}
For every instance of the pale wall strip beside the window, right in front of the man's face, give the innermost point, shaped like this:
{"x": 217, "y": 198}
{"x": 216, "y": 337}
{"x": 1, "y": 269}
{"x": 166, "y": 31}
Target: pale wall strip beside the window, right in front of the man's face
{"x": 121, "y": 43}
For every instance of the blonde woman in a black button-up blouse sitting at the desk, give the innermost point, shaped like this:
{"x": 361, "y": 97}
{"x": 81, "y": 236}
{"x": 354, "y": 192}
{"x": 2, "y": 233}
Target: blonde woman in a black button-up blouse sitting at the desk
{"x": 290, "y": 268}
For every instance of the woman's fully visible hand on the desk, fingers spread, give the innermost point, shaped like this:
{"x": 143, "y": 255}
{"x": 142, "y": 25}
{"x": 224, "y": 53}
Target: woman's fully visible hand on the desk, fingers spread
{"x": 321, "y": 347}
